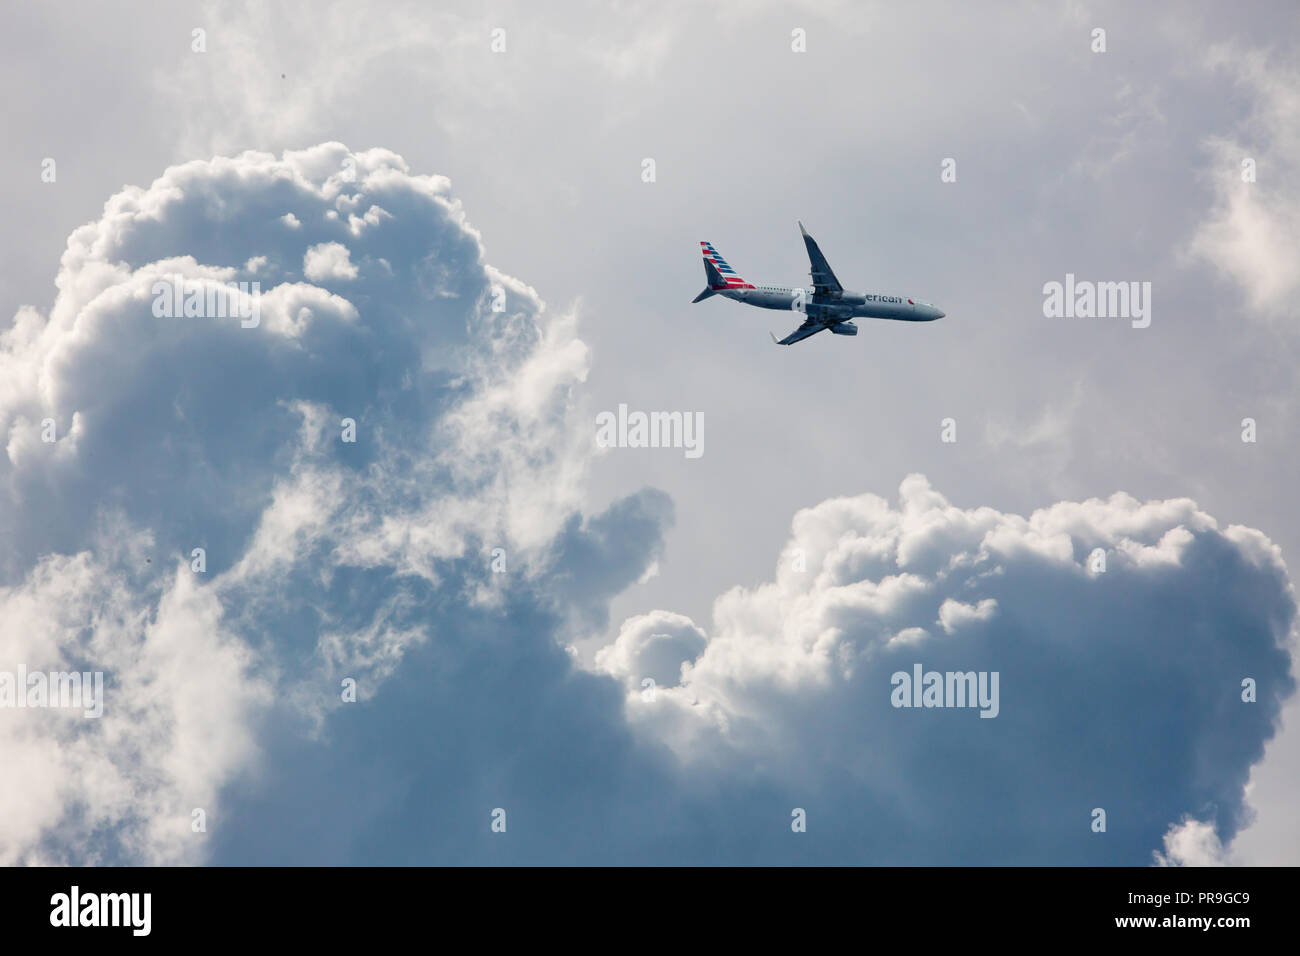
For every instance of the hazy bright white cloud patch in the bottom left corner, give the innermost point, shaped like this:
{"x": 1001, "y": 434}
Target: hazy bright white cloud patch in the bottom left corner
{"x": 179, "y": 719}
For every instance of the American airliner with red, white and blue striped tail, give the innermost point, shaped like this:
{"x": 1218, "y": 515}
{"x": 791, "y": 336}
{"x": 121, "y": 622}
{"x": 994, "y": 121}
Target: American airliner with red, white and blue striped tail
{"x": 826, "y": 305}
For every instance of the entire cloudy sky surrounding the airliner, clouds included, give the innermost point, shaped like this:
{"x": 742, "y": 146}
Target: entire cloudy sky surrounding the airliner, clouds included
{"x": 458, "y": 249}
